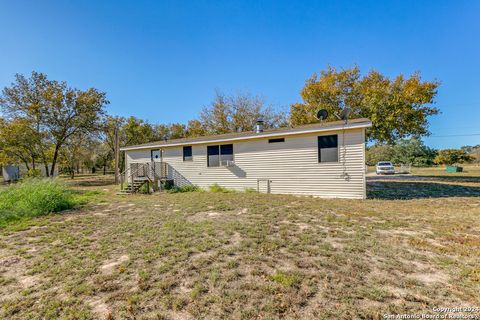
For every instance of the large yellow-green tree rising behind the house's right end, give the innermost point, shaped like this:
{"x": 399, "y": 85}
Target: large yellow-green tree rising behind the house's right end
{"x": 398, "y": 107}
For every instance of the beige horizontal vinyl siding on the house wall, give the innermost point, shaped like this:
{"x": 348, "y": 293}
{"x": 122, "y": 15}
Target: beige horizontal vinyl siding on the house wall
{"x": 292, "y": 166}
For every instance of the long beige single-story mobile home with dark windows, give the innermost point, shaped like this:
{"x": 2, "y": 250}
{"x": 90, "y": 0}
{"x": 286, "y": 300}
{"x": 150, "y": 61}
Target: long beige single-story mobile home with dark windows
{"x": 325, "y": 159}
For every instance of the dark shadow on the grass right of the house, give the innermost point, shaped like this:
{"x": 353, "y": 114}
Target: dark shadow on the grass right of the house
{"x": 396, "y": 189}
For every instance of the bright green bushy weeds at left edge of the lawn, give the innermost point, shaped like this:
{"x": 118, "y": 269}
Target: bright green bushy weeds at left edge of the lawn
{"x": 32, "y": 198}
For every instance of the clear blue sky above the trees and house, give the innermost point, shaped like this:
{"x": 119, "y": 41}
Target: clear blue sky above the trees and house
{"x": 163, "y": 60}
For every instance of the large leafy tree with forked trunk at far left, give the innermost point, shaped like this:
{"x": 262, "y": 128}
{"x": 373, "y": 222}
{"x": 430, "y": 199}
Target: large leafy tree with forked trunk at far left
{"x": 53, "y": 110}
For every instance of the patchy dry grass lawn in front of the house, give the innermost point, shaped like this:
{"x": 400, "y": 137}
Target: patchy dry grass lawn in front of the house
{"x": 412, "y": 246}
